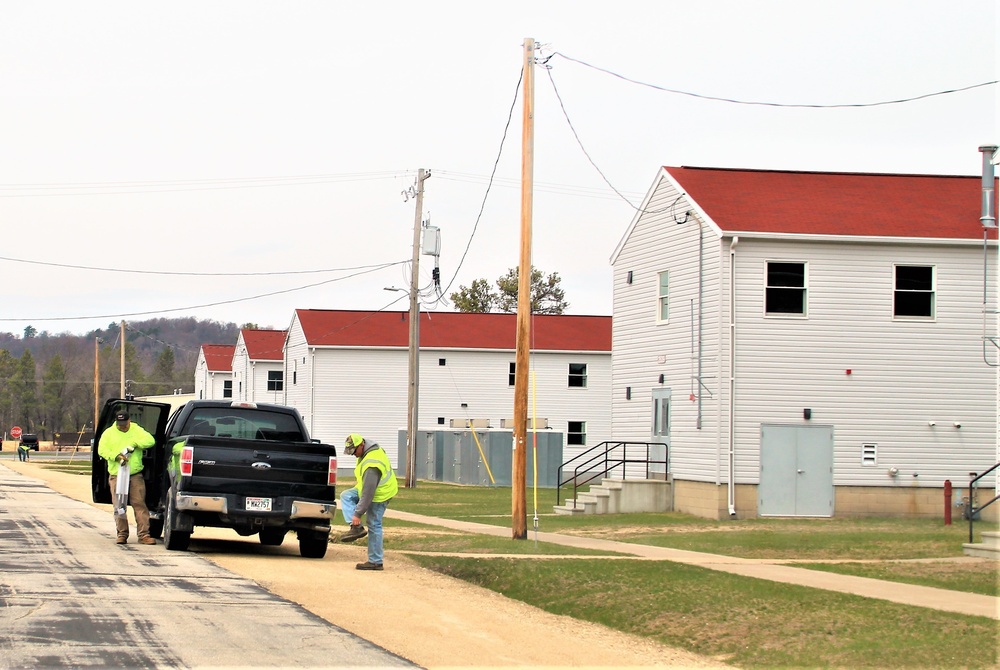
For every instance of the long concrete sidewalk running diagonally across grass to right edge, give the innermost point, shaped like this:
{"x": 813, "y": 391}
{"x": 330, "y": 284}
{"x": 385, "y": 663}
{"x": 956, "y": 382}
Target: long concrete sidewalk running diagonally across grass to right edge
{"x": 777, "y": 571}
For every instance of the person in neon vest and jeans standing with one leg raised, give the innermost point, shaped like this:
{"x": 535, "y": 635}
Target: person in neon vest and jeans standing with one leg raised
{"x": 376, "y": 486}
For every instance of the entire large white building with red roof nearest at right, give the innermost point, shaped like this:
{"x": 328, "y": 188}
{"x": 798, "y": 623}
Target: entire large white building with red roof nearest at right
{"x": 808, "y": 344}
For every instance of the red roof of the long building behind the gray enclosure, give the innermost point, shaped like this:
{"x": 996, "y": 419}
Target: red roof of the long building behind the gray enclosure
{"x": 453, "y": 330}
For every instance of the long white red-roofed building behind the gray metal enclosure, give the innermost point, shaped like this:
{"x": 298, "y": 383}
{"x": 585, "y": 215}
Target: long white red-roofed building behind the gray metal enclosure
{"x": 346, "y": 371}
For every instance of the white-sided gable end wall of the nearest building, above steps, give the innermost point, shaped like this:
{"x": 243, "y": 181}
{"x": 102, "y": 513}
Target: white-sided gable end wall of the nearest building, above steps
{"x": 644, "y": 349}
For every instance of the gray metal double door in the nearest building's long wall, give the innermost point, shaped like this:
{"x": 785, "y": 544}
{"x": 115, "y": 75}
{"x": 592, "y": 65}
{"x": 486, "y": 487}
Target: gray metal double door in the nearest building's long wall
{"x": 796, "y": 471}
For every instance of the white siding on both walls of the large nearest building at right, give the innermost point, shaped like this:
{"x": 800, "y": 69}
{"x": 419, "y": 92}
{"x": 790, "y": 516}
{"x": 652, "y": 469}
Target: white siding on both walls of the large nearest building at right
{"x": 903, "y": 373}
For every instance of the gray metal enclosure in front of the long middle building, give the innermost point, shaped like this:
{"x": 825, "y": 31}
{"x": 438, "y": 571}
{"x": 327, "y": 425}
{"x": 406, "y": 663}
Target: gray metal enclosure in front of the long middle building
{"x": 471, "y": 457}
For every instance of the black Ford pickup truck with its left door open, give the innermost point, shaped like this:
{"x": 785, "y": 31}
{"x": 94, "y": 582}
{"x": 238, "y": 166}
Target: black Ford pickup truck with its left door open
{"x": 246, "y": 466}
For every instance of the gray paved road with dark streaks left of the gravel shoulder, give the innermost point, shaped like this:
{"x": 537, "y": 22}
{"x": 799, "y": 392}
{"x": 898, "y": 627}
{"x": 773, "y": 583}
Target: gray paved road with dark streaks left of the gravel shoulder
{"x": 70, "y": 597}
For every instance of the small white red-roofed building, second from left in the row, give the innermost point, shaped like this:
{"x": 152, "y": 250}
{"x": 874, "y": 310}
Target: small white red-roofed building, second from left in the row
{"x": 258, "y": 366}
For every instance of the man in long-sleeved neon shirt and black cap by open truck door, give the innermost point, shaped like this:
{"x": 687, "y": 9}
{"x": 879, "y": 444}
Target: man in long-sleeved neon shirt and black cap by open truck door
{"x": 118, "y": 446}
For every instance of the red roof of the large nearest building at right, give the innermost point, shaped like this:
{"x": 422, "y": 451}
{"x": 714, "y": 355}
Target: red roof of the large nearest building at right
{"x": 833, "y": 203}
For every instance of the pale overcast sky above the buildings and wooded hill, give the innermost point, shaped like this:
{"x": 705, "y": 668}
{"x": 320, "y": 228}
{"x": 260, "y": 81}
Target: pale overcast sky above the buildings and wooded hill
{"x": 266, "y": 137}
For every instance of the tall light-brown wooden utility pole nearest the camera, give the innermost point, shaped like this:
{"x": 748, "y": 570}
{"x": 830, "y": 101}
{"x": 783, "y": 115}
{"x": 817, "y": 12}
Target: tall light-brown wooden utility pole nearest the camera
{"x": 519, "y": 529}
